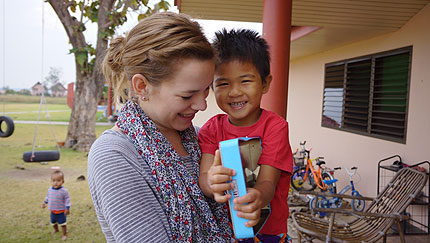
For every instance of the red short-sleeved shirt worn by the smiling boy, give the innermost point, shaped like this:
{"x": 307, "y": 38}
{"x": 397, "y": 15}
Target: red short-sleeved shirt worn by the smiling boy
{"x": 276, "y": 151}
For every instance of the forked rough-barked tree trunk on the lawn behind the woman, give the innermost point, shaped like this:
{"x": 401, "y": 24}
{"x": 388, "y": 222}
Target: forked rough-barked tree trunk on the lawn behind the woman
{"x": 89, "y": 84}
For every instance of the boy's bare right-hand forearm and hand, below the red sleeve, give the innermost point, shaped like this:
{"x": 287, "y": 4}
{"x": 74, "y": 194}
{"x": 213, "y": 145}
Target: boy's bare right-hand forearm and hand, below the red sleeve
{"x": 249, "y": 205}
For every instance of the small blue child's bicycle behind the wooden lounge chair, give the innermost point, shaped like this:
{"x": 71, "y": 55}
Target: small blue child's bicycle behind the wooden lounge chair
{"x": 336, "y": 202}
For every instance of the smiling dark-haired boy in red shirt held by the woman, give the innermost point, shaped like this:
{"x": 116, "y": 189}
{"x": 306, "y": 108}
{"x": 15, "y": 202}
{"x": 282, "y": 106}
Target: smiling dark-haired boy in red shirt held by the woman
{"x": 242, "y": 76}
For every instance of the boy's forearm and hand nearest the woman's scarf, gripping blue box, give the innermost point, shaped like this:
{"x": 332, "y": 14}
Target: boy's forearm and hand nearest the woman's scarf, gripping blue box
{"x": 213, "y": 177}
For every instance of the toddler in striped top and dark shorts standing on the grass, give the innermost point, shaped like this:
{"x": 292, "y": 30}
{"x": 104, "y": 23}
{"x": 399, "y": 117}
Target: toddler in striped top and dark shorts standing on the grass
{"x": 58, "y": 201}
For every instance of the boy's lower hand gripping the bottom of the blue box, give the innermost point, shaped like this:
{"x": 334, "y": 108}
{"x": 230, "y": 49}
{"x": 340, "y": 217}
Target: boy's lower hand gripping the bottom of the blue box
{"x": 249, "y": 206}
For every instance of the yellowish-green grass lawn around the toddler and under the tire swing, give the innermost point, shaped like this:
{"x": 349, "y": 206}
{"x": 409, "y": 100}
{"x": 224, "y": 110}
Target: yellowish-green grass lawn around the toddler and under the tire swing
{"x": 22, "y": 191}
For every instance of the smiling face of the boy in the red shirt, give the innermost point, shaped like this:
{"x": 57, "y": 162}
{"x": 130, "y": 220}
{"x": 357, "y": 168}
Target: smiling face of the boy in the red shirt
{"x": 238, "y": 90}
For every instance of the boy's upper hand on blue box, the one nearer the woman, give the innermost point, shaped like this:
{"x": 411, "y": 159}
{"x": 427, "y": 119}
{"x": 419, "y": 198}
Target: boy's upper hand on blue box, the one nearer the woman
{"x": 218, "y": 176}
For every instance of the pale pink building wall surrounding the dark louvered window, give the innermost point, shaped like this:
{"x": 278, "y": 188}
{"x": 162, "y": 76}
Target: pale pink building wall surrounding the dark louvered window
{"x": 343, "y": 148}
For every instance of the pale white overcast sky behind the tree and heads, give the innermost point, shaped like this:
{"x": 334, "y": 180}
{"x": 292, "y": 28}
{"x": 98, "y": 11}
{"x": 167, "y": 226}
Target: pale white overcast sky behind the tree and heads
{"x": 26, "y": 59}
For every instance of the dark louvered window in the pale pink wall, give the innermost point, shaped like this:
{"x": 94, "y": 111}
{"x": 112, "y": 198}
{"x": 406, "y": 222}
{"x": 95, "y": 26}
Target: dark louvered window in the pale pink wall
{"x": 369, "y": 95}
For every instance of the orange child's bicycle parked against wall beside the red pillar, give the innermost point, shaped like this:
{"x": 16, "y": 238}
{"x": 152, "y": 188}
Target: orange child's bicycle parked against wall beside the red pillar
{"x": 306, "y": 178}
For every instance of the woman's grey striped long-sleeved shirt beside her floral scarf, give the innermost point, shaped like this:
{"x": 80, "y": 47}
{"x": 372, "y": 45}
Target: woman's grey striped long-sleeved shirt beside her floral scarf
{"x": 124, "y": 195}
